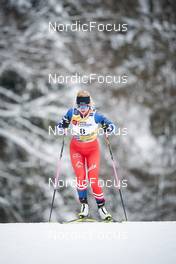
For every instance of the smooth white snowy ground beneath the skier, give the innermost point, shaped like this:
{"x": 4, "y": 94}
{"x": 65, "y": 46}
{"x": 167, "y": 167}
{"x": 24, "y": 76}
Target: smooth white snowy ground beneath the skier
{"x": 132, "y": 242}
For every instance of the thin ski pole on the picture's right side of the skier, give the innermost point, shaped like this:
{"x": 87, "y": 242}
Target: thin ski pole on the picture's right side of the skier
{"x": 115, "y": 172}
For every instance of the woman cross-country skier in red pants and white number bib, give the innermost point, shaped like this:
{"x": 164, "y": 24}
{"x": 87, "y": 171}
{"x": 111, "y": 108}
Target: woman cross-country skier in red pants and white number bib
{"x": 85, "y": 150}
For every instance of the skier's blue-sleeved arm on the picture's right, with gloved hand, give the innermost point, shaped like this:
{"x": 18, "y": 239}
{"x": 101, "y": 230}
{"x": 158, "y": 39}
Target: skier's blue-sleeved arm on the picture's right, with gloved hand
{"x": 106, "y": 124}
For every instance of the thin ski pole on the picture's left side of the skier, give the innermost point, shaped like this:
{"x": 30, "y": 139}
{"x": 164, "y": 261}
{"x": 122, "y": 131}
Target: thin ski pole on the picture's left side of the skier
{"x": 57, "y": 175}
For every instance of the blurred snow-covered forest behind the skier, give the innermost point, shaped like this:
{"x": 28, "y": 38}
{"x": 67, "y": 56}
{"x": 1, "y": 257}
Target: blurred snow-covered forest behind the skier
{"x": 146, "y": 106}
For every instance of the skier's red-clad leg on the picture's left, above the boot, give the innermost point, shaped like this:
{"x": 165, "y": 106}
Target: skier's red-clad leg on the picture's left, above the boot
{"x": 78, "y": 163}
